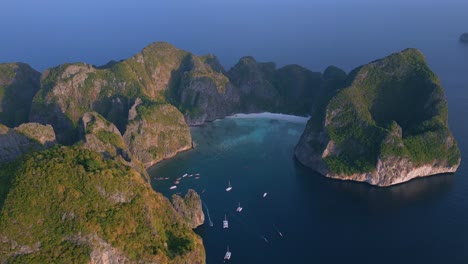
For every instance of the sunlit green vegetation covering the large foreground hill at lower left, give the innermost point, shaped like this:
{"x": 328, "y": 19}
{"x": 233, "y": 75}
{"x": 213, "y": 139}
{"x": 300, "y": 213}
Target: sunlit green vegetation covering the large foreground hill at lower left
{"x": 65, "y": 201}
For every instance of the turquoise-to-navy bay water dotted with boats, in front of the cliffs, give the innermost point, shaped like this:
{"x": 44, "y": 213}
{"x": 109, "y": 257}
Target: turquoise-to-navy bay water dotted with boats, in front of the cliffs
{"x": 321, "y": 220}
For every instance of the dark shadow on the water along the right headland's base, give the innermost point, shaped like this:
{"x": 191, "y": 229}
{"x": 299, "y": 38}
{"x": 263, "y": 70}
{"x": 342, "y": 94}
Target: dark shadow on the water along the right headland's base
{"x": 380, "y": 200}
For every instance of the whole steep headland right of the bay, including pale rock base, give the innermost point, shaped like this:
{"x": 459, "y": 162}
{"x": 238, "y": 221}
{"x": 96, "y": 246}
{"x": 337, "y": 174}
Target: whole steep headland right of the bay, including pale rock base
{"x": 388, "y": 126}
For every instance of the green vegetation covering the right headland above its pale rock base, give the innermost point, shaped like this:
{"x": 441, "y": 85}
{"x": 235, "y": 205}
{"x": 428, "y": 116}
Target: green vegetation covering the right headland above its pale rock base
{"x": 399, "y": 91}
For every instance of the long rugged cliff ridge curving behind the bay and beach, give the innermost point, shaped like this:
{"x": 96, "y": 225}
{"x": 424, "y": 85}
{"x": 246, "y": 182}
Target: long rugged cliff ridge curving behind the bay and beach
{"x": 197, "y": 85}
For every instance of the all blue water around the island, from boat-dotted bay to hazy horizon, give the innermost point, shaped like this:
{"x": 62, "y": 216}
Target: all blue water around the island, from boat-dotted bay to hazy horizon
{"x": 323, "y": 221}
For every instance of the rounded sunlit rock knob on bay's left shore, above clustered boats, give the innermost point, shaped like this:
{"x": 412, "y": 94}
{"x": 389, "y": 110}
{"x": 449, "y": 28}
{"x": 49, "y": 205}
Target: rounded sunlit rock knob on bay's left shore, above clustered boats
{"x": 158, "y": 132}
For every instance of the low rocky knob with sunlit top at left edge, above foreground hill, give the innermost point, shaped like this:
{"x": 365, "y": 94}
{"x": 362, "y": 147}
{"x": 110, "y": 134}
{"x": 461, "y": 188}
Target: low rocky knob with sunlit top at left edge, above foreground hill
{"x": 23, "y": 139}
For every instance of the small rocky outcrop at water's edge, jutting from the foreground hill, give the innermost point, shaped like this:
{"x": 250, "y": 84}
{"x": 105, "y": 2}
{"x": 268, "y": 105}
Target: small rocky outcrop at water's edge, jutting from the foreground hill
{"x": 190, "y": 208}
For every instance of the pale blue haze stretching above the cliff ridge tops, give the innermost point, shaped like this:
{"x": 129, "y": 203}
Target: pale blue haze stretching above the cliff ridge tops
{"x": 311, "y": 33}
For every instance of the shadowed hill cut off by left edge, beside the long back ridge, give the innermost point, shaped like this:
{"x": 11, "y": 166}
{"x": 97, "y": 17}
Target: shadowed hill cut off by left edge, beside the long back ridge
{"x": 18, "y": 84}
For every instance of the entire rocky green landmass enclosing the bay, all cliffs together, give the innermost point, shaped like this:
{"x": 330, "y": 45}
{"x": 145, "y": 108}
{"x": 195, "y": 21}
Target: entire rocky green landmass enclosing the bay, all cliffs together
{"x": 78, "y": 133}
